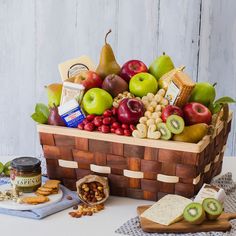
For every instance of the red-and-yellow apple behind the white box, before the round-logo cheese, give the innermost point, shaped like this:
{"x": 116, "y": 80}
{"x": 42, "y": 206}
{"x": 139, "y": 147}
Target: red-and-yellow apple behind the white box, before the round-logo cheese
{"x": 88, "y": 79}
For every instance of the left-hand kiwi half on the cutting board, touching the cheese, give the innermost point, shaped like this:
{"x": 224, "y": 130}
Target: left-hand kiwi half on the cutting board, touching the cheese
{"x": 194, "y": 213}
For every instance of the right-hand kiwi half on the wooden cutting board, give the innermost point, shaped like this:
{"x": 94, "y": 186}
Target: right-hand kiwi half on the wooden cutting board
{"x": 212, "y": 207}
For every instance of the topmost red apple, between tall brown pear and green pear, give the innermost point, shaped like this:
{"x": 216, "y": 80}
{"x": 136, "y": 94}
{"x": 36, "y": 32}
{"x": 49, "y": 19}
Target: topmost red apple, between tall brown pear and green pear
{"x": 131, "y": 68}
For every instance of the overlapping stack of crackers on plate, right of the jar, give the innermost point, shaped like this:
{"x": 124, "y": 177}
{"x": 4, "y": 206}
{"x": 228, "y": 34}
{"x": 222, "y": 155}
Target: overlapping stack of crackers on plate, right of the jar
{"x": 50, "y": 187}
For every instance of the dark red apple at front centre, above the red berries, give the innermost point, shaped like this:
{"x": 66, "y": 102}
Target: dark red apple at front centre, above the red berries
{"x": 130, "y": 110}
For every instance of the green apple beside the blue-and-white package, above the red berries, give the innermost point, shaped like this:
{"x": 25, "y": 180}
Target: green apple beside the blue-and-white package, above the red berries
{"x": 96, "y": 101}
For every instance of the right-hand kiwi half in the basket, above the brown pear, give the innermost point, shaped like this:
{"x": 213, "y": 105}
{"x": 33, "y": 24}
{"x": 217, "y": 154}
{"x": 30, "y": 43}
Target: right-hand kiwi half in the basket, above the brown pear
{"x": 175, "y": 124}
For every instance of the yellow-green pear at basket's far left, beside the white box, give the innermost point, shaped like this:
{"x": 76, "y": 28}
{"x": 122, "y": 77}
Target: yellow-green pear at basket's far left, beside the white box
{"x": 54, "y": 94}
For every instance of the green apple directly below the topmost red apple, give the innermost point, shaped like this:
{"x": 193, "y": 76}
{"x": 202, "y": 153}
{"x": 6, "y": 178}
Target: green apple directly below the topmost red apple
{"x": 143, "y": 83}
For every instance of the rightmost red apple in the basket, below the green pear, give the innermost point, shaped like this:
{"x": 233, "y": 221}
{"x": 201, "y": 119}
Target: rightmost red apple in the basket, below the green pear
{"x": 195, "y": 113}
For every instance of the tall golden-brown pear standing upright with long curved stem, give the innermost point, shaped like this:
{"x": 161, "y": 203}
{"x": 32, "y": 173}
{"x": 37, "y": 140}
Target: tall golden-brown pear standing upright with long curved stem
{"x": 107, "y": 63}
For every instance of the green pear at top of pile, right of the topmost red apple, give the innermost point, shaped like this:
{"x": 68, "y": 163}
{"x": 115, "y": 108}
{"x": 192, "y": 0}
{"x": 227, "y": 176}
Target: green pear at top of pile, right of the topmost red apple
{"x": 161, "y": 66}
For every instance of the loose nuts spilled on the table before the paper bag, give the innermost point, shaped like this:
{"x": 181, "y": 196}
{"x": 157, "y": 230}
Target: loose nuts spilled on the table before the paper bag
{"x": 85, "y": 210}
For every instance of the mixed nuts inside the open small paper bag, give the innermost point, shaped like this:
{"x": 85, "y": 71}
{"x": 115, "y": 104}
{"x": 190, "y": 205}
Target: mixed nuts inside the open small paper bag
{"x": 92, "y": 192}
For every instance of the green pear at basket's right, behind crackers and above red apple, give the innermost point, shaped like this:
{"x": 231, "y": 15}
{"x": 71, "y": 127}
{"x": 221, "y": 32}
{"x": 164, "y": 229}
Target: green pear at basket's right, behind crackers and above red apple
{"x": 203, "y": 93}
